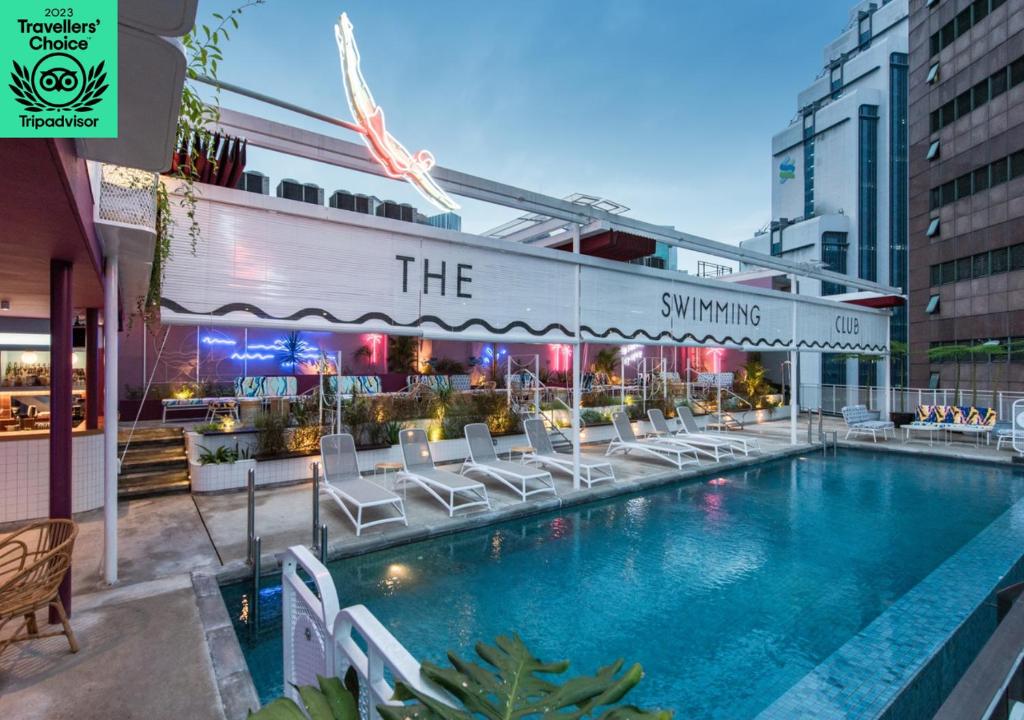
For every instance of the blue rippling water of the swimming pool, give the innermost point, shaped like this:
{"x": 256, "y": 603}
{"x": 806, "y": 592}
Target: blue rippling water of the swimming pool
{"x": 728, "y": 590}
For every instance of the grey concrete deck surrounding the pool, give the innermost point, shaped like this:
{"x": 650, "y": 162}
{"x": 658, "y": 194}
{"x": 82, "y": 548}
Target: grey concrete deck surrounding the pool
{"x": 172, "y": 549}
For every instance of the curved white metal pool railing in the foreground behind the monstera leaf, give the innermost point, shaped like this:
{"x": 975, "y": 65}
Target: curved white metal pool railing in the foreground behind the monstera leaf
{"x": 321, "y": 640}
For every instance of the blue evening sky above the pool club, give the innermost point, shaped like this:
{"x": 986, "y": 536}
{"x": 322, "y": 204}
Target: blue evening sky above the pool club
{"x": 668, "y": 108}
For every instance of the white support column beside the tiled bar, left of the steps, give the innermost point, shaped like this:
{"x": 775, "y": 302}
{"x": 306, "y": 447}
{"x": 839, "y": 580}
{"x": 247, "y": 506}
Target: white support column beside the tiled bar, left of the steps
{"x": 111, "y": 470}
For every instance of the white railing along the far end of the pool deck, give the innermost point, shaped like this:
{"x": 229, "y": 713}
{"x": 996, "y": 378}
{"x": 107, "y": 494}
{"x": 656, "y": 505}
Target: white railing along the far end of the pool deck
{"x": 832, "y": 399}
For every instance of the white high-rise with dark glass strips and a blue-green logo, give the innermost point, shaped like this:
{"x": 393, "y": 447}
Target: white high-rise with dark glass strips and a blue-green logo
{"x": 840, "y": 178}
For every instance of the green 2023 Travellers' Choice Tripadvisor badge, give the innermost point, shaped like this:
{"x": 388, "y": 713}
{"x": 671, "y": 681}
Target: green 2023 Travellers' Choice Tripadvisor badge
{"x": 61, "y": 64}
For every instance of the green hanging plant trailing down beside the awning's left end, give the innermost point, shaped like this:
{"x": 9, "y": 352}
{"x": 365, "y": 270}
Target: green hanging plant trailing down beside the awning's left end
{"x": 203, "y": 49}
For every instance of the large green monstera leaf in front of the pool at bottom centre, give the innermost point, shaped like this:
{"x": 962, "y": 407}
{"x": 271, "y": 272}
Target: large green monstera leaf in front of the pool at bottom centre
{"x": 517, "y": 685}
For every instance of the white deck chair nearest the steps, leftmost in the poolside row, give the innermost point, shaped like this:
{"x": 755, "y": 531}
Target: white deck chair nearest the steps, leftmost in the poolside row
{"x": 353, "y": 492}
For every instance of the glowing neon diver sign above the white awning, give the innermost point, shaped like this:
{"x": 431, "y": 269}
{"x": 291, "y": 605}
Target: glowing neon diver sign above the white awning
{"x": 393, "y": 156}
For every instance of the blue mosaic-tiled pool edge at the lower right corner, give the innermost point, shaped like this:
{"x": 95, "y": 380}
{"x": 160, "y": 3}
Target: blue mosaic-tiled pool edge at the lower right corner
{"x": 923, "y": 644}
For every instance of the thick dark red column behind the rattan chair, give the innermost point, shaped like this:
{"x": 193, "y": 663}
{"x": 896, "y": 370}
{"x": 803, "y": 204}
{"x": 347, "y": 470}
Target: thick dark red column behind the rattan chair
{"x": 61, "y": 401}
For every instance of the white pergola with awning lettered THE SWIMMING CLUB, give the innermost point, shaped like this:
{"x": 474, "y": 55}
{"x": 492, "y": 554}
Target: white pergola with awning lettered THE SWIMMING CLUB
{"x": 347, "y": 272}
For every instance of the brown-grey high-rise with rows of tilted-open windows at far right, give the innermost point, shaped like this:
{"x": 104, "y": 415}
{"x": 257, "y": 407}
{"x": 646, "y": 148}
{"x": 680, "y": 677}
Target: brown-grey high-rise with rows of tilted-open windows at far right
{"x": 967, "y": 191}
